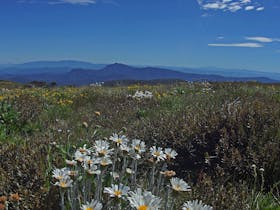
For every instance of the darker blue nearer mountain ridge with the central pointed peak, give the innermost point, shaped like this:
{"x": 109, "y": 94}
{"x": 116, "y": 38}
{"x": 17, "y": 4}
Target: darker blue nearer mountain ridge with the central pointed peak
{"x": 122, "y": 72}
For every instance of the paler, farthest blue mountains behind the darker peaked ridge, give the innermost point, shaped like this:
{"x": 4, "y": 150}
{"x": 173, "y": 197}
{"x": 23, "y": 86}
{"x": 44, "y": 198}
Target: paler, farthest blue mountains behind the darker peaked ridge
{"x": 64, "y": 66}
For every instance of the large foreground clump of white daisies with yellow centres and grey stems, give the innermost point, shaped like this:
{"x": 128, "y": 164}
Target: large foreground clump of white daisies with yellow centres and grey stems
{"x": 106, "y": 174}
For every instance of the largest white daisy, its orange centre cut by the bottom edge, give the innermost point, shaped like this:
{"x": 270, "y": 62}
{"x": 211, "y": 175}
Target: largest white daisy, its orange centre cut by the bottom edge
{"x": 143, "y": 200}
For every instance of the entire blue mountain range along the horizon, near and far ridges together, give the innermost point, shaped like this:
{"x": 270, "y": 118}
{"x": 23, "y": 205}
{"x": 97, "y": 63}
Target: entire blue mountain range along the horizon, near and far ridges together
{"x": 84, "y": 73}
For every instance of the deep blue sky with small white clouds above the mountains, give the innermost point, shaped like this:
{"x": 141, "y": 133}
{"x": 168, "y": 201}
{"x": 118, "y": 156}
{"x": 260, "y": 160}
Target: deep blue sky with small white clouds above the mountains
{"x": 193, "y": 33}
